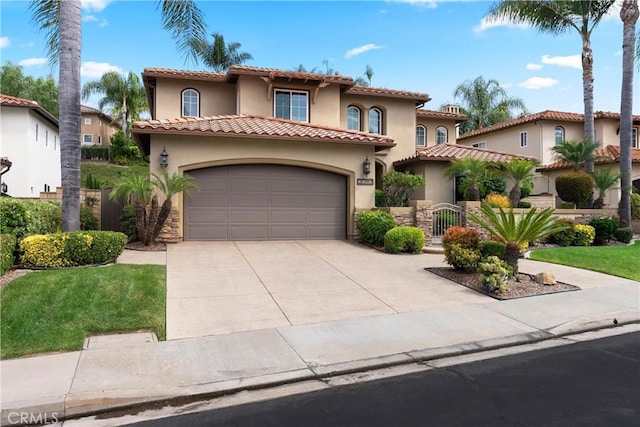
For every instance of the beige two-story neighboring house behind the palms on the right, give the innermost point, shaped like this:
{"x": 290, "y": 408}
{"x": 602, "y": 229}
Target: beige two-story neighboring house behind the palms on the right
{"x": 535, "y": 134}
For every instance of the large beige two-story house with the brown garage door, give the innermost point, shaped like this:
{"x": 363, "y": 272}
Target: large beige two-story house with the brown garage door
{"x": 278, "y": 154}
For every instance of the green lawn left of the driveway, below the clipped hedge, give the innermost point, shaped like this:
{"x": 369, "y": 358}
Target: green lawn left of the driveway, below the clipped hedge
{"x": 54, "y": 310}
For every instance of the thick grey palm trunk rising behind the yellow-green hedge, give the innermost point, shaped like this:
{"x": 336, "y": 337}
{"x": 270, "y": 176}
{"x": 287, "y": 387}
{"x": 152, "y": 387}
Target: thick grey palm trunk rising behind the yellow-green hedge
{"x": 69, "y": 101}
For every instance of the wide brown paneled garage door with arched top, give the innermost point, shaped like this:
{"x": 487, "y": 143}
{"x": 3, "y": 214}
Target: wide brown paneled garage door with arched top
{"x": 265, "y": 202}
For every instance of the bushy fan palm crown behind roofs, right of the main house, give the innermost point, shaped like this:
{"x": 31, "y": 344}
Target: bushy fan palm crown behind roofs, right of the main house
{"x": 485, "y": 103}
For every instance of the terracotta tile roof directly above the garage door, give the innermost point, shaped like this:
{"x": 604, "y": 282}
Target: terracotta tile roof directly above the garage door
{"x": 258, "y": 127}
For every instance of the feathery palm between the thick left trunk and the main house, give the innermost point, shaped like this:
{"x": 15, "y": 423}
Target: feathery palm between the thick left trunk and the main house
{"x": 125, "y": 96}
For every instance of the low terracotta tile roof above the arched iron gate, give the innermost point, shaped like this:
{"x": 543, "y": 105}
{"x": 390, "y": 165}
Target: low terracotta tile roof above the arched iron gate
{"x": 451, "y": 152}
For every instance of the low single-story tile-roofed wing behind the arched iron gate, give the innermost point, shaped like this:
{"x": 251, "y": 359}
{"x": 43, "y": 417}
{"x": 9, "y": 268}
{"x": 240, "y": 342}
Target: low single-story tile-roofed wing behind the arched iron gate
{"x": 432, "y": 163}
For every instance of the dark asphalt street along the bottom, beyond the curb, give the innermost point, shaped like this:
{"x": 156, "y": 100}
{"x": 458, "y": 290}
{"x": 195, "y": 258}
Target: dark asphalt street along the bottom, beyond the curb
{"x": 593, "y": 383}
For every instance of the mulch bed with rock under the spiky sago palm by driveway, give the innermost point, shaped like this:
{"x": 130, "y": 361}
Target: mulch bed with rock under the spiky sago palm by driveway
{"x": 523, "y": 285}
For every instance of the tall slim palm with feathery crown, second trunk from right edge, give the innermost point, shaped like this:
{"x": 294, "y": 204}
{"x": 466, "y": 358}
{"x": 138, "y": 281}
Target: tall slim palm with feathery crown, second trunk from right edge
{"x": 556, "y": 17}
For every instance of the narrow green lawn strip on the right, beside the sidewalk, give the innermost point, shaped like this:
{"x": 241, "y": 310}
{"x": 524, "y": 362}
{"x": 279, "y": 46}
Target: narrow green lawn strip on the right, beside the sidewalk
{"x": 623, "y": 261}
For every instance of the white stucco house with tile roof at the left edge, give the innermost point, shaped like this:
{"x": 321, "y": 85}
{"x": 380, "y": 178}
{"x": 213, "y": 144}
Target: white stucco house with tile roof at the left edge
{"x": 29, "y": 138}
